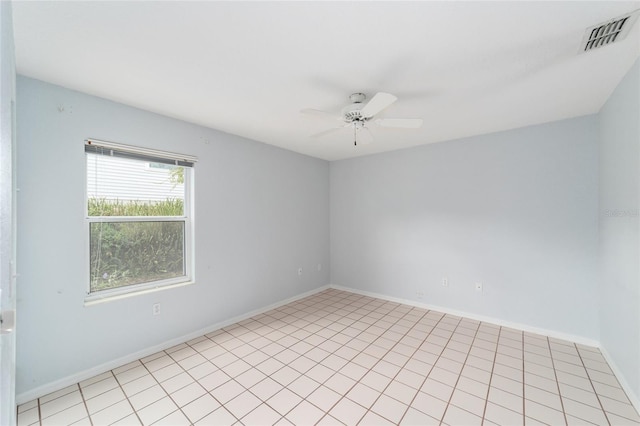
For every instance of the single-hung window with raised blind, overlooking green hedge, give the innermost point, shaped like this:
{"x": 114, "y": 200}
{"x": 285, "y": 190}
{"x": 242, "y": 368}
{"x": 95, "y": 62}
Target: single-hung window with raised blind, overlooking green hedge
{"x": 139, "y": 218}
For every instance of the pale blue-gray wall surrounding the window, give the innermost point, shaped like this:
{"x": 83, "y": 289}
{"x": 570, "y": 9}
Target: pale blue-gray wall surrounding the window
{"x": 260, "y": 213}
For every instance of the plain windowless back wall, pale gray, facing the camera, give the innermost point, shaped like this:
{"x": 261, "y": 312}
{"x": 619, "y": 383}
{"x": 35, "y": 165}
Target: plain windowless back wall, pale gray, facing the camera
{"x": 515, "y": 210}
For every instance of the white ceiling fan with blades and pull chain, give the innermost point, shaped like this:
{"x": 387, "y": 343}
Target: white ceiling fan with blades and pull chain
{"x": 358, "y": 114}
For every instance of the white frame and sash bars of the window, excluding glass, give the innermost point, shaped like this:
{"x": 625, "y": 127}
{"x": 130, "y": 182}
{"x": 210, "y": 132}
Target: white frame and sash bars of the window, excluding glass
{"x": 142, "y": 155}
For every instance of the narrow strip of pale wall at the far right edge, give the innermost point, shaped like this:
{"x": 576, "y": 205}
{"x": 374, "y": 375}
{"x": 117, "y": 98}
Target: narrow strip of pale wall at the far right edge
{"x": 619, "y": 227}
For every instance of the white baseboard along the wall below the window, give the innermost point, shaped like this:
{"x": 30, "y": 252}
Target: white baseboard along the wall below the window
{"x": 99, "y": 369}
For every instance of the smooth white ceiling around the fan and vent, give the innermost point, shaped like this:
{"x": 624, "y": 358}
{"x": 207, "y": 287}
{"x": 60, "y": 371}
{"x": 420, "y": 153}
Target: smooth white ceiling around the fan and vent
{"x": 248, "y": 68}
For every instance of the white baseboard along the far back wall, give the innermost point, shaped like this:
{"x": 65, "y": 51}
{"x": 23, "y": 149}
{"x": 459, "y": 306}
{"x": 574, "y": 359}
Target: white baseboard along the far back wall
{"x": 518, "y": 326}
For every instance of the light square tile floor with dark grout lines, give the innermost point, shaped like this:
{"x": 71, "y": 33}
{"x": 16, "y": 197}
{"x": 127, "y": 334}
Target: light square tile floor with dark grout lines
{"x": 341, "y": 358}
